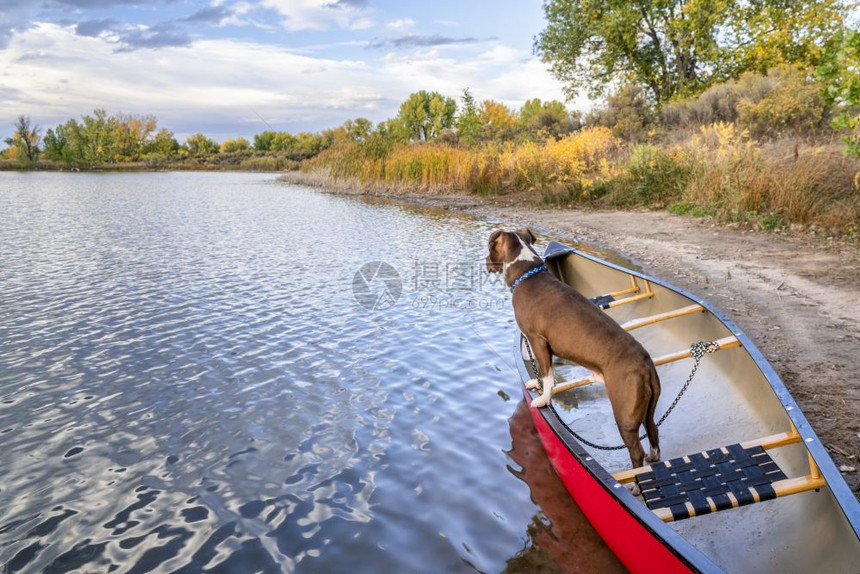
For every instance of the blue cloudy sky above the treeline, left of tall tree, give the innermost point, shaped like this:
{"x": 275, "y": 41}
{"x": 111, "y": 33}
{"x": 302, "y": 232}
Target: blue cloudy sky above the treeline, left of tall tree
{"x": 234, "y": 68}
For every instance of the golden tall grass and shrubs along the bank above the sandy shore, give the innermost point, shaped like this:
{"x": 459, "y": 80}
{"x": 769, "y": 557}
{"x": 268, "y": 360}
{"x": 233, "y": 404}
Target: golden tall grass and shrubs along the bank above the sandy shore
{"x": 717, "y": 171}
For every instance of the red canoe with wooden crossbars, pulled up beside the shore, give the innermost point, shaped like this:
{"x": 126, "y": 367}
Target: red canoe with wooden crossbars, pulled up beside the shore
{"x": 744, "y": 484}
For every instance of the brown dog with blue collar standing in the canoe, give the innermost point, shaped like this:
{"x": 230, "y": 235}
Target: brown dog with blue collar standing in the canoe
{"x": 557, "y": 320}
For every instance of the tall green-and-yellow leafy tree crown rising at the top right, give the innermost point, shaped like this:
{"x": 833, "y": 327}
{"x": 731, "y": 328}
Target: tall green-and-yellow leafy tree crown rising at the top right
{"x": 680, "y": 47}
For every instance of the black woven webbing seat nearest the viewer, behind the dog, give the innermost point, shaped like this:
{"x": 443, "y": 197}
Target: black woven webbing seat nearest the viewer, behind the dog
{"x": 710, "y": 481}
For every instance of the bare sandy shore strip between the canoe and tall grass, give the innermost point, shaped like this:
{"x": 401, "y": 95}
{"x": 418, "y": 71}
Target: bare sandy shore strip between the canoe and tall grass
{"x": 793, "y": 294}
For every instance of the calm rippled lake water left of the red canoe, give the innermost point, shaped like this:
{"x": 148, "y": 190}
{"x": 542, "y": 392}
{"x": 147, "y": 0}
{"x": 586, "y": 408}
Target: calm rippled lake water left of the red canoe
{"x": 193, "y": 377}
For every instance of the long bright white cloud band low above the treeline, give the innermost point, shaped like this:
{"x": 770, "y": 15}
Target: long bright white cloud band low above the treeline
{"x": 220, "y": 86}
